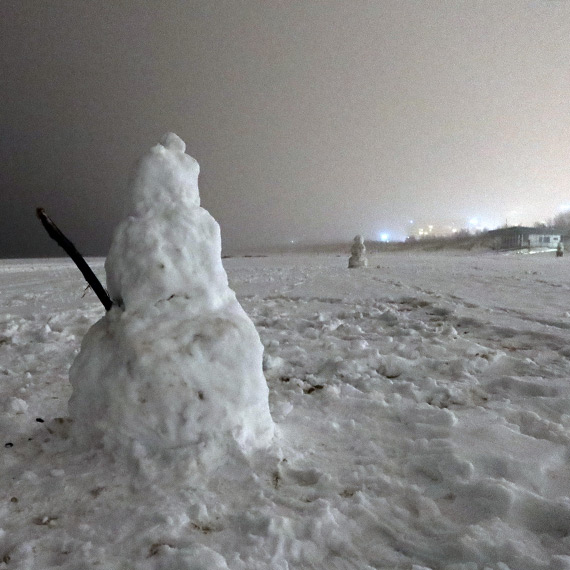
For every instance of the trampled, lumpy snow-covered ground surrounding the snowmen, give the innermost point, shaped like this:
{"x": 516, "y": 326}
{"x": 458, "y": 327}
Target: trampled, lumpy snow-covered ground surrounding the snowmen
{"x": 422, "y": 408}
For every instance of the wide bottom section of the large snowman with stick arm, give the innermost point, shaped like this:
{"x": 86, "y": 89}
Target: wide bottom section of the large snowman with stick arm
{"x": 169, "y": 380}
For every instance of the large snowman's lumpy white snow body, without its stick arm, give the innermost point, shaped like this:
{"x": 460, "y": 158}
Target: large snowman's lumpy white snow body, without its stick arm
{"x": 176, "y": 363}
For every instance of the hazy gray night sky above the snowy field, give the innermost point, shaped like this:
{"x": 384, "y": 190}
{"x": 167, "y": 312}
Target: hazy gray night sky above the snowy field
{"x": 312, "y": 120}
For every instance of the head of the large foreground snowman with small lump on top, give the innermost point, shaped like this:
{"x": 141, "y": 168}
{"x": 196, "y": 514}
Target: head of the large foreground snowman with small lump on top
{"x": 166, "y": 178}
